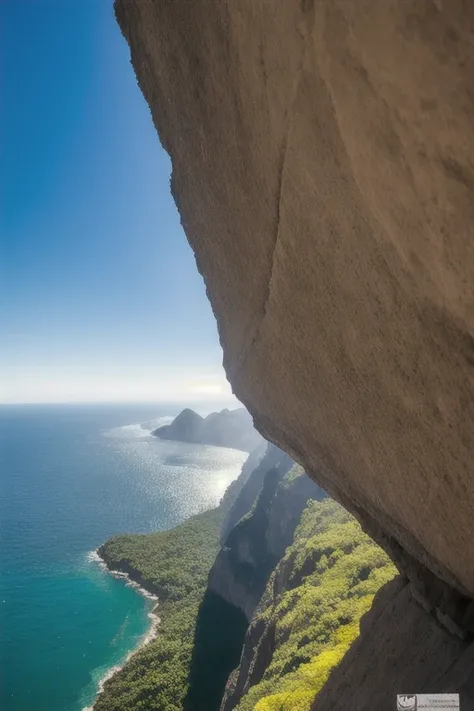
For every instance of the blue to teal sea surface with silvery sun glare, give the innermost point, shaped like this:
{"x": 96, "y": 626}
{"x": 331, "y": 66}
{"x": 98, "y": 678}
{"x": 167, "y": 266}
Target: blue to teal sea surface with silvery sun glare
{"x": 70, "y": 477}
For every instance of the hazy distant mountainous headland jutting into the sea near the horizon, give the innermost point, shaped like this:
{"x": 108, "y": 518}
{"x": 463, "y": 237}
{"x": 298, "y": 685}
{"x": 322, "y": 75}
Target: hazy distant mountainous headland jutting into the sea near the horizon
{"x": 228, "y": 428}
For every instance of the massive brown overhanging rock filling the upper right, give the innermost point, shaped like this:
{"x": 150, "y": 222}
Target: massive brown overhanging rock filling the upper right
{"x": 323, "y": 167}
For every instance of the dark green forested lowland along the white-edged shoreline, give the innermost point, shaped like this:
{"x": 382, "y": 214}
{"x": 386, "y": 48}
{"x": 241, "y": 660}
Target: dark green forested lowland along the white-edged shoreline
{"x": 175, "y": 564}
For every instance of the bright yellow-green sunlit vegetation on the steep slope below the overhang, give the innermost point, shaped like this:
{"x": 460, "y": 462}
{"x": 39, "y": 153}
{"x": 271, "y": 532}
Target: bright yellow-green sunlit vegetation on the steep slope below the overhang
{"x": 328, "y": 578}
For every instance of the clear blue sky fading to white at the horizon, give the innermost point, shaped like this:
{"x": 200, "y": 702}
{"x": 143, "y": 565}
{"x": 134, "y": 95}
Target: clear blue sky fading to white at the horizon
{"x": 101, "y": 298}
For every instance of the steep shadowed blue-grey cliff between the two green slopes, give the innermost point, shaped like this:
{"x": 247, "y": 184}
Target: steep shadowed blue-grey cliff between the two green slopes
{"x": 240, "y": 573}
